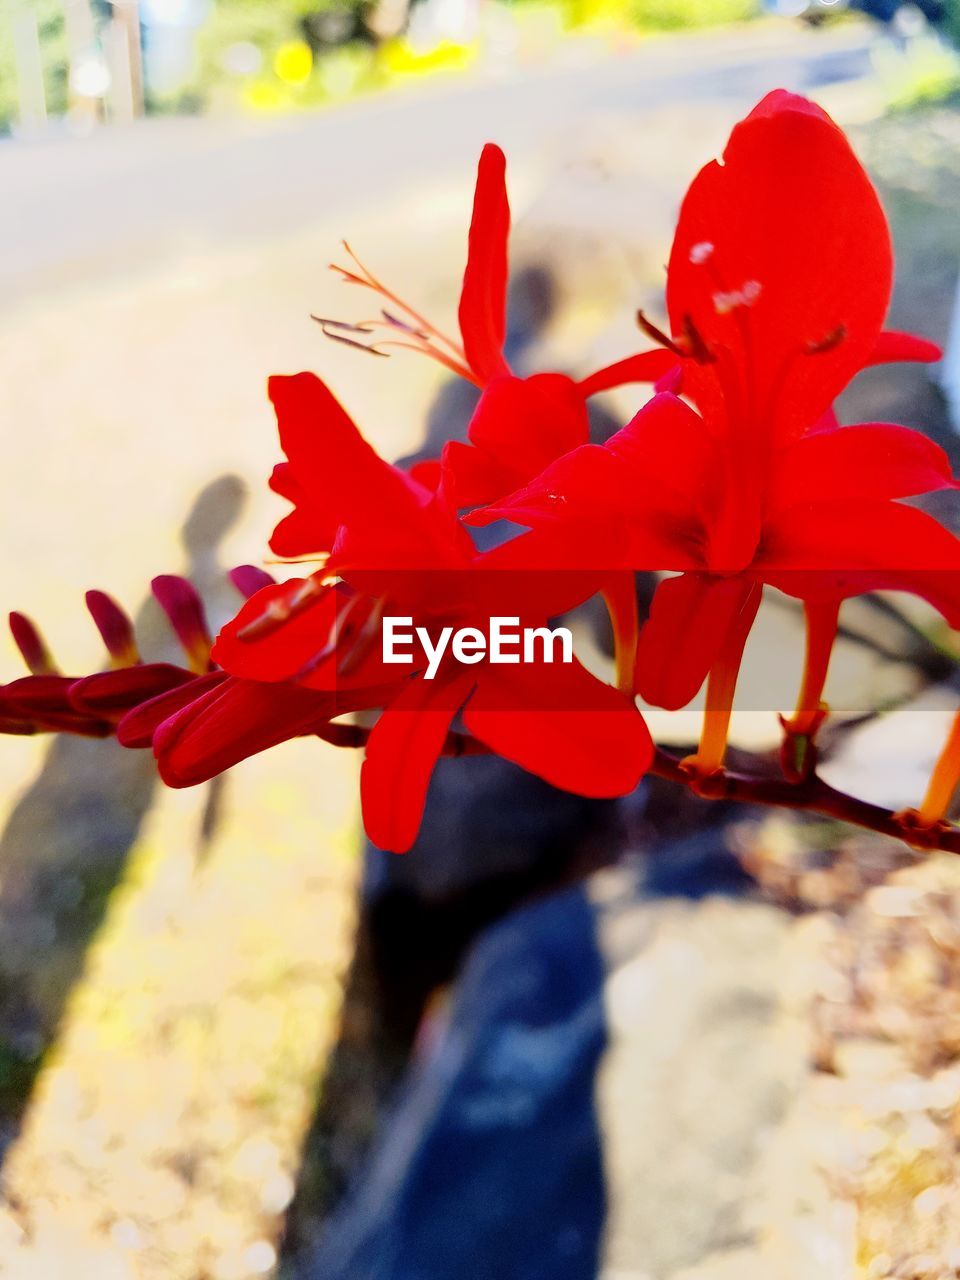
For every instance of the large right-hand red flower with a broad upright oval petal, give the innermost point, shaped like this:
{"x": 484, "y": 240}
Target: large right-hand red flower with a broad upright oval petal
{"x": 779, "y": 284}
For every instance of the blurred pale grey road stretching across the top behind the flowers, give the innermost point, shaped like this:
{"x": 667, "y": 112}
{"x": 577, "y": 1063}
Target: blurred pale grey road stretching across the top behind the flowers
{"x": 79, "y": 209}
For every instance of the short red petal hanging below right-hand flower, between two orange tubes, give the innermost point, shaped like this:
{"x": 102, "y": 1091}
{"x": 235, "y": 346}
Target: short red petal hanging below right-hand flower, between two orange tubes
{"x": 680, "y": 642}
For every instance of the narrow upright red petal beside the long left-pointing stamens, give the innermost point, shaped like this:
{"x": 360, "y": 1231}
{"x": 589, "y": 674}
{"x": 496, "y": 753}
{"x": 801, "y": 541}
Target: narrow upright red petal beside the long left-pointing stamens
{"x": 483, "y": 300}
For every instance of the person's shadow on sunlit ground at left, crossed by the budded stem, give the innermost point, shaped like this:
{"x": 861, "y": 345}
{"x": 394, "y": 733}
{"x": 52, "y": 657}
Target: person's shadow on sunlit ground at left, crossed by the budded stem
{"x": 66, "y": 844}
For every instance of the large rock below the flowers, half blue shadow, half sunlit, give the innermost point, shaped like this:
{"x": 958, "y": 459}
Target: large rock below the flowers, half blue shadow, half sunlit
{"x": 595, "y": 1099}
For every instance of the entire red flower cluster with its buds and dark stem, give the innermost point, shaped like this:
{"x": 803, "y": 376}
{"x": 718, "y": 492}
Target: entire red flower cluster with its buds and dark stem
{"x": 734, "y": 477}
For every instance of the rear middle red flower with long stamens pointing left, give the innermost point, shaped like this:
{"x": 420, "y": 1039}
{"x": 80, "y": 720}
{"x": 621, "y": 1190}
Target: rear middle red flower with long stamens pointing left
{"x": 522, "y": 424}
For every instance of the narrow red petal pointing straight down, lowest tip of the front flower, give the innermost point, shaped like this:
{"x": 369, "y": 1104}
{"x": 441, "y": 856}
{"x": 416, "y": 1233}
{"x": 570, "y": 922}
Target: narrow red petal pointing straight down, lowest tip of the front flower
{"x": 401, "y": 753}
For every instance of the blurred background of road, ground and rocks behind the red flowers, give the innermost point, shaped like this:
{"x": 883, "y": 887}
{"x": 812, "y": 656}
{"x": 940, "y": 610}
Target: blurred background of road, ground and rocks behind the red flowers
{"x": 657, "y": 1040}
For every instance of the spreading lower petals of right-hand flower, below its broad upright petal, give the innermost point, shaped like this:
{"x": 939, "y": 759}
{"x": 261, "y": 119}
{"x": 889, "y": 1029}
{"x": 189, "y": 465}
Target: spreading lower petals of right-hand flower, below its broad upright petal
{"x": 666, "y": 493}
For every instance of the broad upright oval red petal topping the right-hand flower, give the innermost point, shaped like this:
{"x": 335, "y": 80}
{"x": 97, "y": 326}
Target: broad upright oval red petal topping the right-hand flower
{"x": 781, "y": 250}
